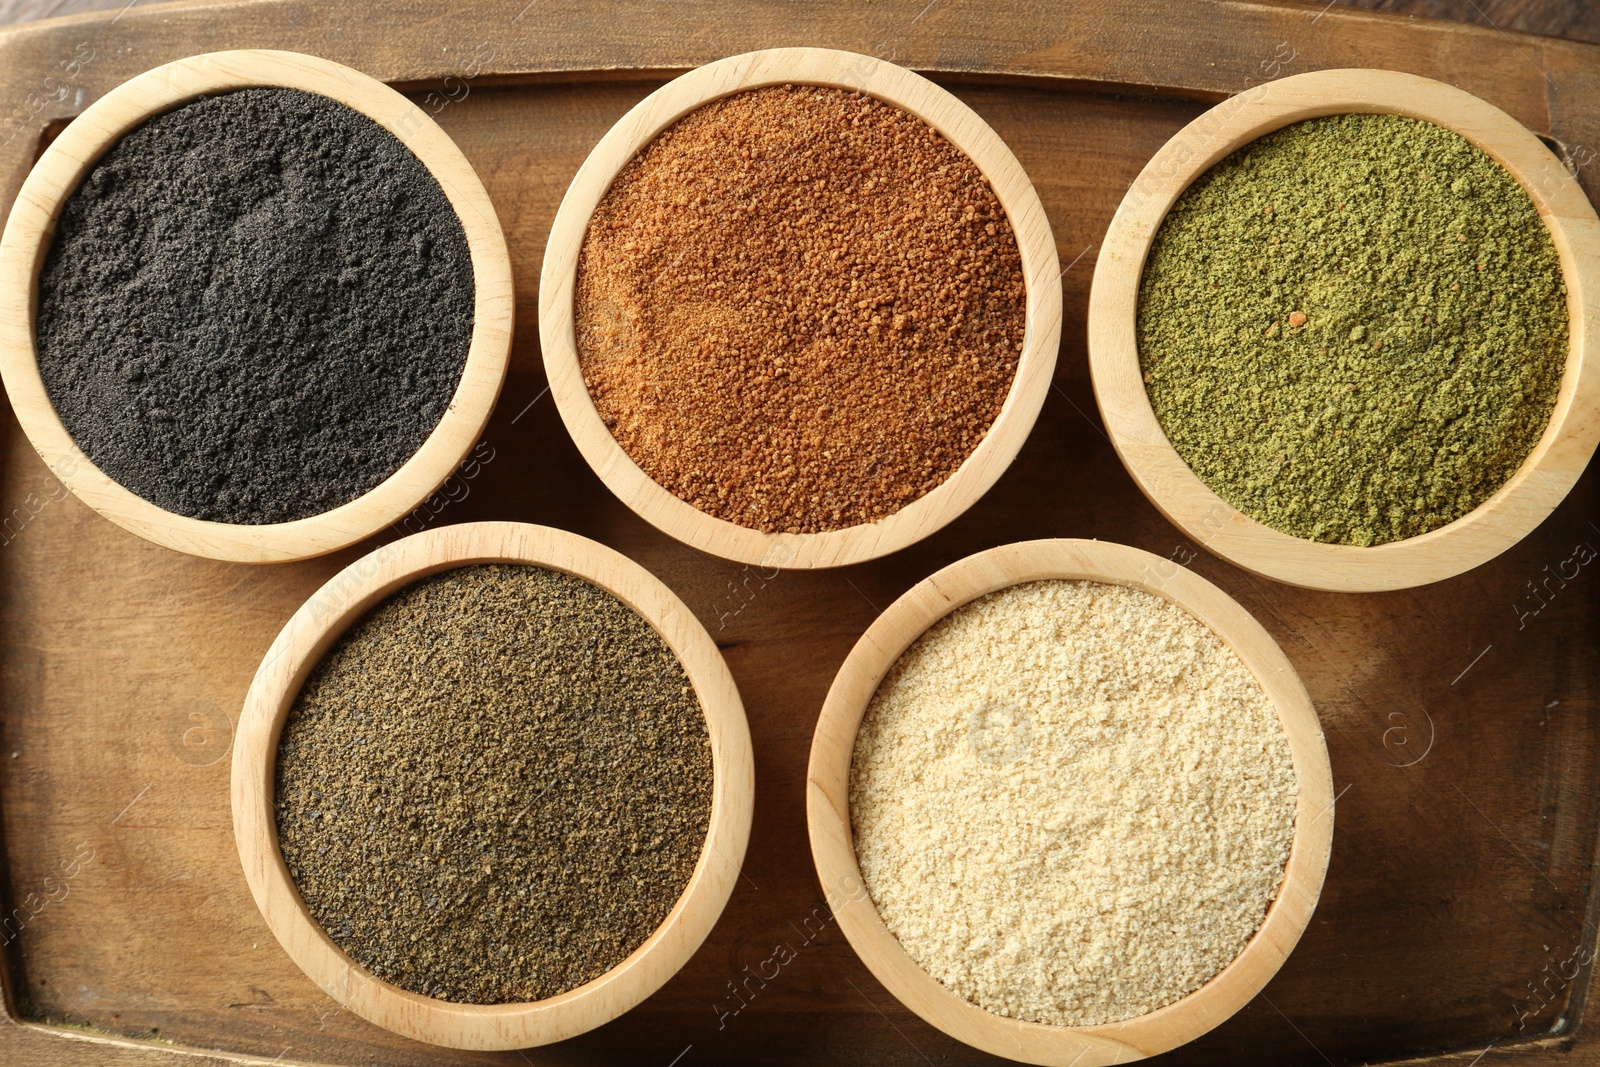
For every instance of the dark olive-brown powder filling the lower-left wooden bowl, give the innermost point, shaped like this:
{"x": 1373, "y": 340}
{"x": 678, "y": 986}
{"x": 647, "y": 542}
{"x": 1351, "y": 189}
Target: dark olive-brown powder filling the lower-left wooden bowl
{"x": 495, "y": 786}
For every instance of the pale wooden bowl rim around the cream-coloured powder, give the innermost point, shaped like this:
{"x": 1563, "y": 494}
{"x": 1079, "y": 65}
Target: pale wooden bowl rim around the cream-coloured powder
{"x": 833, "y": 847}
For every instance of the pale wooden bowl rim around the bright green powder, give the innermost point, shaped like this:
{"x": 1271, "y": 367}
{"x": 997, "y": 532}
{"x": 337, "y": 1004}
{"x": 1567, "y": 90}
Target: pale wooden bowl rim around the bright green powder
{"x": 1500, "y": 522}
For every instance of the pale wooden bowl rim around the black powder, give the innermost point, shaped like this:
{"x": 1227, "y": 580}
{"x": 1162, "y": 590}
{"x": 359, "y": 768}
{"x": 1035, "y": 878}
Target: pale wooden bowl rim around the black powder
{"x": 57, "y": 177}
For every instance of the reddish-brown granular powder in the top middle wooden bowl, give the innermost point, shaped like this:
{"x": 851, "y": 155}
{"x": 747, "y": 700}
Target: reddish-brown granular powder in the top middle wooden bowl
{"x": 799, "y": 310}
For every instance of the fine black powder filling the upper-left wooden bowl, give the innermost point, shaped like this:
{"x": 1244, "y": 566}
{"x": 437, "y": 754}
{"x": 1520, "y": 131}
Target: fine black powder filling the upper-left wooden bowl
{"x": 257, "y": 308}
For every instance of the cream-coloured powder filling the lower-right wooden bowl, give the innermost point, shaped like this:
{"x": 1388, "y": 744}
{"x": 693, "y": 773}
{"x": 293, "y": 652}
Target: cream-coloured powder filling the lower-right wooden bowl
{"x": 1073, "y": 804}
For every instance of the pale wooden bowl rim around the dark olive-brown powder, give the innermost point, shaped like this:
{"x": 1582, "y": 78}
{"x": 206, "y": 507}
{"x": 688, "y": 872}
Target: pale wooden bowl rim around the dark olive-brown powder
{"x": 313, "y": 631}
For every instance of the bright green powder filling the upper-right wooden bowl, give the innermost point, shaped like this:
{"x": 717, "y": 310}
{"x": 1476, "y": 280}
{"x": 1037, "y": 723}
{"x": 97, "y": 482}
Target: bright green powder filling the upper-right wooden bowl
{"x": 1354, "y": 329}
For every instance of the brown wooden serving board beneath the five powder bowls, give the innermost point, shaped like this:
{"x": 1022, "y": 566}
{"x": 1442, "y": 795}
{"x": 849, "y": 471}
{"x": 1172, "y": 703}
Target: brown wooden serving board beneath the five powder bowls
{"x": 1462, "y": 719}
